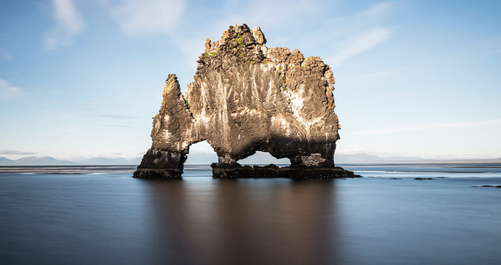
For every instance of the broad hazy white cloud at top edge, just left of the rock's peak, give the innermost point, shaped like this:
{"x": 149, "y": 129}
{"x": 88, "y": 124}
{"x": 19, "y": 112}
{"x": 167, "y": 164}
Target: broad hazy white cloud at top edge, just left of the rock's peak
{"x": 141, "y": 18}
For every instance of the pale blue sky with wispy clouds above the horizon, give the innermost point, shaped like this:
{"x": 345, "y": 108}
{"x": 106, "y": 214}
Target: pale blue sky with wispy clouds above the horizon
{"x": 83, "y": 78}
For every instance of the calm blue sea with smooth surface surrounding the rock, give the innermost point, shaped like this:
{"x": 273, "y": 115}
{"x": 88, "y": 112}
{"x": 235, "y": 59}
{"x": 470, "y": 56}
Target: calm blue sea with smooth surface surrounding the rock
{"x": 393, "y": 214}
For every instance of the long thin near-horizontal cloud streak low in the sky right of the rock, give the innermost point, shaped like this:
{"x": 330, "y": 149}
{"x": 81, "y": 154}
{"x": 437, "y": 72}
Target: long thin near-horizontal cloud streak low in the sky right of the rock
{"x": 429, "y": 126}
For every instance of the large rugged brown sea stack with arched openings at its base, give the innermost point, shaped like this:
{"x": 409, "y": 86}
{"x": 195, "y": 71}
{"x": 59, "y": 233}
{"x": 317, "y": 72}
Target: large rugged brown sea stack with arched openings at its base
{"x": 245, "y": 98}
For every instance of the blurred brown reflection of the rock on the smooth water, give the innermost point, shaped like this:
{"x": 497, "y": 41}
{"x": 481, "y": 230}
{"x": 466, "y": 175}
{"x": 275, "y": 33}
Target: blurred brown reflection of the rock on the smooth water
{"x": 205, "y": 221}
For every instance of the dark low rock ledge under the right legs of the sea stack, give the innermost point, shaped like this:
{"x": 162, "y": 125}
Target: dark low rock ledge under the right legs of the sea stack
{"x": 272, "y": 171}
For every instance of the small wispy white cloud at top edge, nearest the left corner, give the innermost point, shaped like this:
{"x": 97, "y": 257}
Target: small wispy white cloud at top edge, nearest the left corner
{"x": 69, "y": 24}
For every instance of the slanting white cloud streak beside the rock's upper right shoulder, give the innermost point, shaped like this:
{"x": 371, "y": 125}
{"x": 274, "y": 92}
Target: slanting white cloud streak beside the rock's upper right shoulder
{"x": 362, "y": 43}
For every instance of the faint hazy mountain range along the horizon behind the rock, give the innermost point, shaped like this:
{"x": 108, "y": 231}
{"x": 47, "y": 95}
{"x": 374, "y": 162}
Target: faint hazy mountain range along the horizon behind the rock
{"x": 208, "y": 158}
